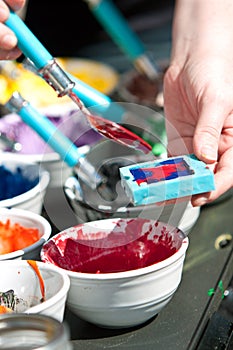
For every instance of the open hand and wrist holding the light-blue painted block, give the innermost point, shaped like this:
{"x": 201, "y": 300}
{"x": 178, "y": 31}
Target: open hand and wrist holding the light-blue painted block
{"x": 198, "y": 95}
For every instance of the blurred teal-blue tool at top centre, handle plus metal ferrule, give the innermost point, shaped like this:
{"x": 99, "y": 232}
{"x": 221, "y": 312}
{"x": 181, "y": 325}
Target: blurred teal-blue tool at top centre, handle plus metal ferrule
{"x": 121, "y": 33}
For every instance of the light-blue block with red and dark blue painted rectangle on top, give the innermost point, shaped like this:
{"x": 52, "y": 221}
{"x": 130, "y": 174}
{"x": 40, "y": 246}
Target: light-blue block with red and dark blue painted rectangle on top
{"x": 165, "y": 179}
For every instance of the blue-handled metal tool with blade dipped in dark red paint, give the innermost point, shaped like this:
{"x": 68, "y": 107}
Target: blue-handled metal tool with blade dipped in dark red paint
{"x": 57, "y": 78}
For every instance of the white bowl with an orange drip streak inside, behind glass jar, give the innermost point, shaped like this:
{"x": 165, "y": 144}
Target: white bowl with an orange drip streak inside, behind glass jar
{"x": 19, "y": 276}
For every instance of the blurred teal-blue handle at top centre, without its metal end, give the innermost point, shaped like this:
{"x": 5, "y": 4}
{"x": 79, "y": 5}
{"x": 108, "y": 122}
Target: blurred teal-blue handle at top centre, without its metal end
{"x": 117, "y": 27}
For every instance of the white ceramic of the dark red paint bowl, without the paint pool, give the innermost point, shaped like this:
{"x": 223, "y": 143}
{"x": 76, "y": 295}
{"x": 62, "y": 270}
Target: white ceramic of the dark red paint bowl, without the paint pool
{"x": 119, "y": 299}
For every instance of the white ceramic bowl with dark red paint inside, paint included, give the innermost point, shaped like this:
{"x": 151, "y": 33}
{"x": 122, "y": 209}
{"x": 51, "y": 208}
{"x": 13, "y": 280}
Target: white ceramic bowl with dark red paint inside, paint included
{"x": 123, "y": 298}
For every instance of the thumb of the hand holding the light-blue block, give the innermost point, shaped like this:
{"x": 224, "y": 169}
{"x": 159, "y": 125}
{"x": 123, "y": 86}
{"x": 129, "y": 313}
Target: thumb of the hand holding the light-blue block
{"x": 207, "y": 133}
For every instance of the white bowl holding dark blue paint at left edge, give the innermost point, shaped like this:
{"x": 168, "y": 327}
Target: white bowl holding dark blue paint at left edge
{"x": 31, "y": 199}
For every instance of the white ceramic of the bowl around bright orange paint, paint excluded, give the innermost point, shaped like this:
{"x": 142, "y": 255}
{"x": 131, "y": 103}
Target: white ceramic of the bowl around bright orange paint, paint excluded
{"x": 29, "y": 220}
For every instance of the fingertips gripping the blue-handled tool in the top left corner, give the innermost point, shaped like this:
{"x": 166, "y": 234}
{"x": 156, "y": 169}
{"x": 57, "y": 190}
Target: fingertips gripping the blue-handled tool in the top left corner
{"x": 8, "y": 40}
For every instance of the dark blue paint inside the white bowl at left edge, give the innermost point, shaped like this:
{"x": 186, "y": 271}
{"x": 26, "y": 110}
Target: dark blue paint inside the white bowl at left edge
{"x": 14, "y": 183}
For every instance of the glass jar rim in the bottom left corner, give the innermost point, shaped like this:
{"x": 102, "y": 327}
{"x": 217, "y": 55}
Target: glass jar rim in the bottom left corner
{"x": 34, "y": 332}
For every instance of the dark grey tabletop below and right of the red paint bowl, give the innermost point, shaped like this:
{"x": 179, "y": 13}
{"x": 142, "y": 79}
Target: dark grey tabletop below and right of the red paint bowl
{"x": 181, "y": 324}
